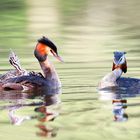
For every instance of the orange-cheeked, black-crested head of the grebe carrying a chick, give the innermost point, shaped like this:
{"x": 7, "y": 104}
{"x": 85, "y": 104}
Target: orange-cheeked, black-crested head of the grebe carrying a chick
{"x": 45, "y": 47}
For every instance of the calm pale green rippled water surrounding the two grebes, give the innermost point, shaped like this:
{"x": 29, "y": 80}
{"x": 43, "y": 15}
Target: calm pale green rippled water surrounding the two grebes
{"x": 86, "y": 33}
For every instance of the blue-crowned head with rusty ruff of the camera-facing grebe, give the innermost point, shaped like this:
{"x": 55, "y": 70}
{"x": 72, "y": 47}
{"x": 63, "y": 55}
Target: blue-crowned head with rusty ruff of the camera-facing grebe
{"x": 119, "y": 61}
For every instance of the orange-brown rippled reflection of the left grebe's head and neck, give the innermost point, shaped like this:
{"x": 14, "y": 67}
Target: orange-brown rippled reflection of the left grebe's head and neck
{"x": 45, "y": 115}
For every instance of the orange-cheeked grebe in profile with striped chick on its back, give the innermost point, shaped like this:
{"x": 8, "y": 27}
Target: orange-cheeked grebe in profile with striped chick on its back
{"x": 23, "y": 80}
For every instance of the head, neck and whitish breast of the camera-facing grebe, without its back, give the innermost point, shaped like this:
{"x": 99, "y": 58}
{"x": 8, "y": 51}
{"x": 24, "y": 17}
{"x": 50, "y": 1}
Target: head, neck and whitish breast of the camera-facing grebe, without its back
{"x": 119, "y": 66}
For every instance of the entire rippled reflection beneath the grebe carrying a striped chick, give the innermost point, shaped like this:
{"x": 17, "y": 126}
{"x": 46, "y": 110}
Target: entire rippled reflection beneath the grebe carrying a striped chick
{"x": 15, "y": 101}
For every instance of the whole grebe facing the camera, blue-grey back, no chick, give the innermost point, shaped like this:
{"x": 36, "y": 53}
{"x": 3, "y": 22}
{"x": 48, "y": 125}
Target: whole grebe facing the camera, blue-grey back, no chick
{"x": 114, "y": 79}
